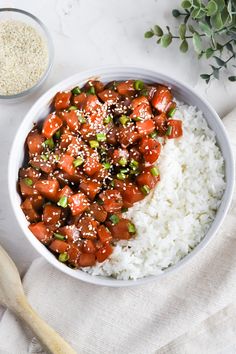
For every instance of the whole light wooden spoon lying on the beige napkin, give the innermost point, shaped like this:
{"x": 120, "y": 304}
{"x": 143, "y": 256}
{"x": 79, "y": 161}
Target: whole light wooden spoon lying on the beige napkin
{"x": 12, "y": 296}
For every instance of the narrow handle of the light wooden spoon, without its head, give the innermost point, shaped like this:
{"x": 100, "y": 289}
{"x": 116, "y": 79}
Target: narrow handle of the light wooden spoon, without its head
{"x": 50, "y": 340}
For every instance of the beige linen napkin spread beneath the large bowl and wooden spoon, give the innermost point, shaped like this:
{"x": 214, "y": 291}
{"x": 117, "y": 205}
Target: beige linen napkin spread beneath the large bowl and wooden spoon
{"x": 186, "y": 312}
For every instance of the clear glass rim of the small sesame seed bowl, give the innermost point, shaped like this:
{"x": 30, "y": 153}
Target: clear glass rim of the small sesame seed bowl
{"x": 51, "y": 54}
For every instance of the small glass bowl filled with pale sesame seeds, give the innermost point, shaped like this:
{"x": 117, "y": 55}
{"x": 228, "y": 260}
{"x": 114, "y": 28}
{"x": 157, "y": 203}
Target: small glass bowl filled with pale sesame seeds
{"x": 26, "y": 54}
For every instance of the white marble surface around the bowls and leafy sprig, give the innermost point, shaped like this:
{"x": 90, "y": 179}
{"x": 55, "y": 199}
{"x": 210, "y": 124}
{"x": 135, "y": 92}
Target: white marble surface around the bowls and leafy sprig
{"x": 88, "y": 33}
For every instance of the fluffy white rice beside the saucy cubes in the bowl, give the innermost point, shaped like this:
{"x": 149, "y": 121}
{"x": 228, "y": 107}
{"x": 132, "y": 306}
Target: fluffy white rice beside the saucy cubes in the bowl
{"x": 174, "y": 218}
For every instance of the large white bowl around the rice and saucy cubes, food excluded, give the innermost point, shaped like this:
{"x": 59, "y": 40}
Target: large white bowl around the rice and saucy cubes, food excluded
{"x": 42, "y": 107}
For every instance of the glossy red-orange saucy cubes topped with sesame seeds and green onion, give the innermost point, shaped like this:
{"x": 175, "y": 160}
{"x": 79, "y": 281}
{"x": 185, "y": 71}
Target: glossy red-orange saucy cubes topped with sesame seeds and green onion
{"x": 94, "y": 156}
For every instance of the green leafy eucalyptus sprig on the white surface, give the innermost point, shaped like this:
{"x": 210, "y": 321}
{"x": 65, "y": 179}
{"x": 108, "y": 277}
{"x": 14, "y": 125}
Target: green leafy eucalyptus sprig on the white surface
{"x": 211, "y": 27}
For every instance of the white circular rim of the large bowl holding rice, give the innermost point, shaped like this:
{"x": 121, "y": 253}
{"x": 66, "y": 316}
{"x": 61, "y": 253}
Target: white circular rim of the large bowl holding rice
{"x": 109, "y": 281}
